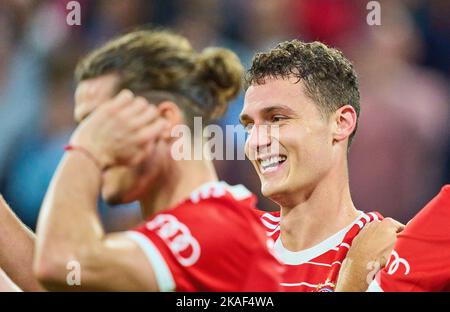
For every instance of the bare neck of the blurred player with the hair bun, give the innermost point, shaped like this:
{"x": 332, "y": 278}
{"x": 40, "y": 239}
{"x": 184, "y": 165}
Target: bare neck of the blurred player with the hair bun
{"x": 180, "y": 180}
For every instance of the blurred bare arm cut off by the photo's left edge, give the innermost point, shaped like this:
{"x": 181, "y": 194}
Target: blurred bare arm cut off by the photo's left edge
{"x": 16, "y": 249}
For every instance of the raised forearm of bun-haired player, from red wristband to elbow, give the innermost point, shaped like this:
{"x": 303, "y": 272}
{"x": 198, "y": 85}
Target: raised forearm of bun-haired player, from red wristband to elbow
{"x": 69, "y": 227}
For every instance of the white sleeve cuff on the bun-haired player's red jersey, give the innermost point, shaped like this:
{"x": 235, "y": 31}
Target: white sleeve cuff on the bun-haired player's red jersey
{"x": 162, "y": 272}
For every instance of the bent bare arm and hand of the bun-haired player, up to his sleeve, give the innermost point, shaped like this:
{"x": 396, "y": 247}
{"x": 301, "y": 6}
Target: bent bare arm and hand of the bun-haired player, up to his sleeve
{"x": 69, "y": 228}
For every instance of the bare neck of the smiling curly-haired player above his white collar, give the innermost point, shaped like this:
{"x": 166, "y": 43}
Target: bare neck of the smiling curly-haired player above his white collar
{"x": 319, "y": 213}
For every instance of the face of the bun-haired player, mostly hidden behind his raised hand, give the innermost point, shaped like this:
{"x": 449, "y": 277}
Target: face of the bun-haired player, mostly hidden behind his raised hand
{"x": 120, "y": 184}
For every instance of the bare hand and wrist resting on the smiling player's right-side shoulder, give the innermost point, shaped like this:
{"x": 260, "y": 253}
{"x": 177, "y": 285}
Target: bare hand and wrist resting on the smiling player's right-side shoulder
{"x": 367, "y": 255}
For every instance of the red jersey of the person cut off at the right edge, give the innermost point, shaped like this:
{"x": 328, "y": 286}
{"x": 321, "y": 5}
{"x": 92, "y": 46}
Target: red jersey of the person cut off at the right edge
{"x": 420, "y": 260}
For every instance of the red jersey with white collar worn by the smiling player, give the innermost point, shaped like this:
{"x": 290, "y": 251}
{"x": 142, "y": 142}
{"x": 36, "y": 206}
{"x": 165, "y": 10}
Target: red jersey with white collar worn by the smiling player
{"x": 316, "y": 268}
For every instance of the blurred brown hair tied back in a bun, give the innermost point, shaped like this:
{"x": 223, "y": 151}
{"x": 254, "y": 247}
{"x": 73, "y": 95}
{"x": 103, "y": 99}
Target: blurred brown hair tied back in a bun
{"x": 160, "y": 65}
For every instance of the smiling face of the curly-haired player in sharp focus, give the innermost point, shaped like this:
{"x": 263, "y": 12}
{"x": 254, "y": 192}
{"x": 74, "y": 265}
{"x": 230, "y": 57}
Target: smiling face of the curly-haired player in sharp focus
{"x": 297, "y": 153}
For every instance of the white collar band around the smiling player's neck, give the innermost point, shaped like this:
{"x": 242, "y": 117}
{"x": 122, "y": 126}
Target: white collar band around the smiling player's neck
{"x": 303, "y": 256}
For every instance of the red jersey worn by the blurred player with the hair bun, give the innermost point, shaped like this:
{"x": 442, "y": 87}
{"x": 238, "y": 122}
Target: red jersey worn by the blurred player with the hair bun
{"x": 213, "y": 241}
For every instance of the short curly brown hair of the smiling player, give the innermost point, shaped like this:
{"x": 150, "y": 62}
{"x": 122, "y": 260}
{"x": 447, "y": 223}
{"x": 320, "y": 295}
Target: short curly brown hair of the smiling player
{"x": 328, "y": 77}
